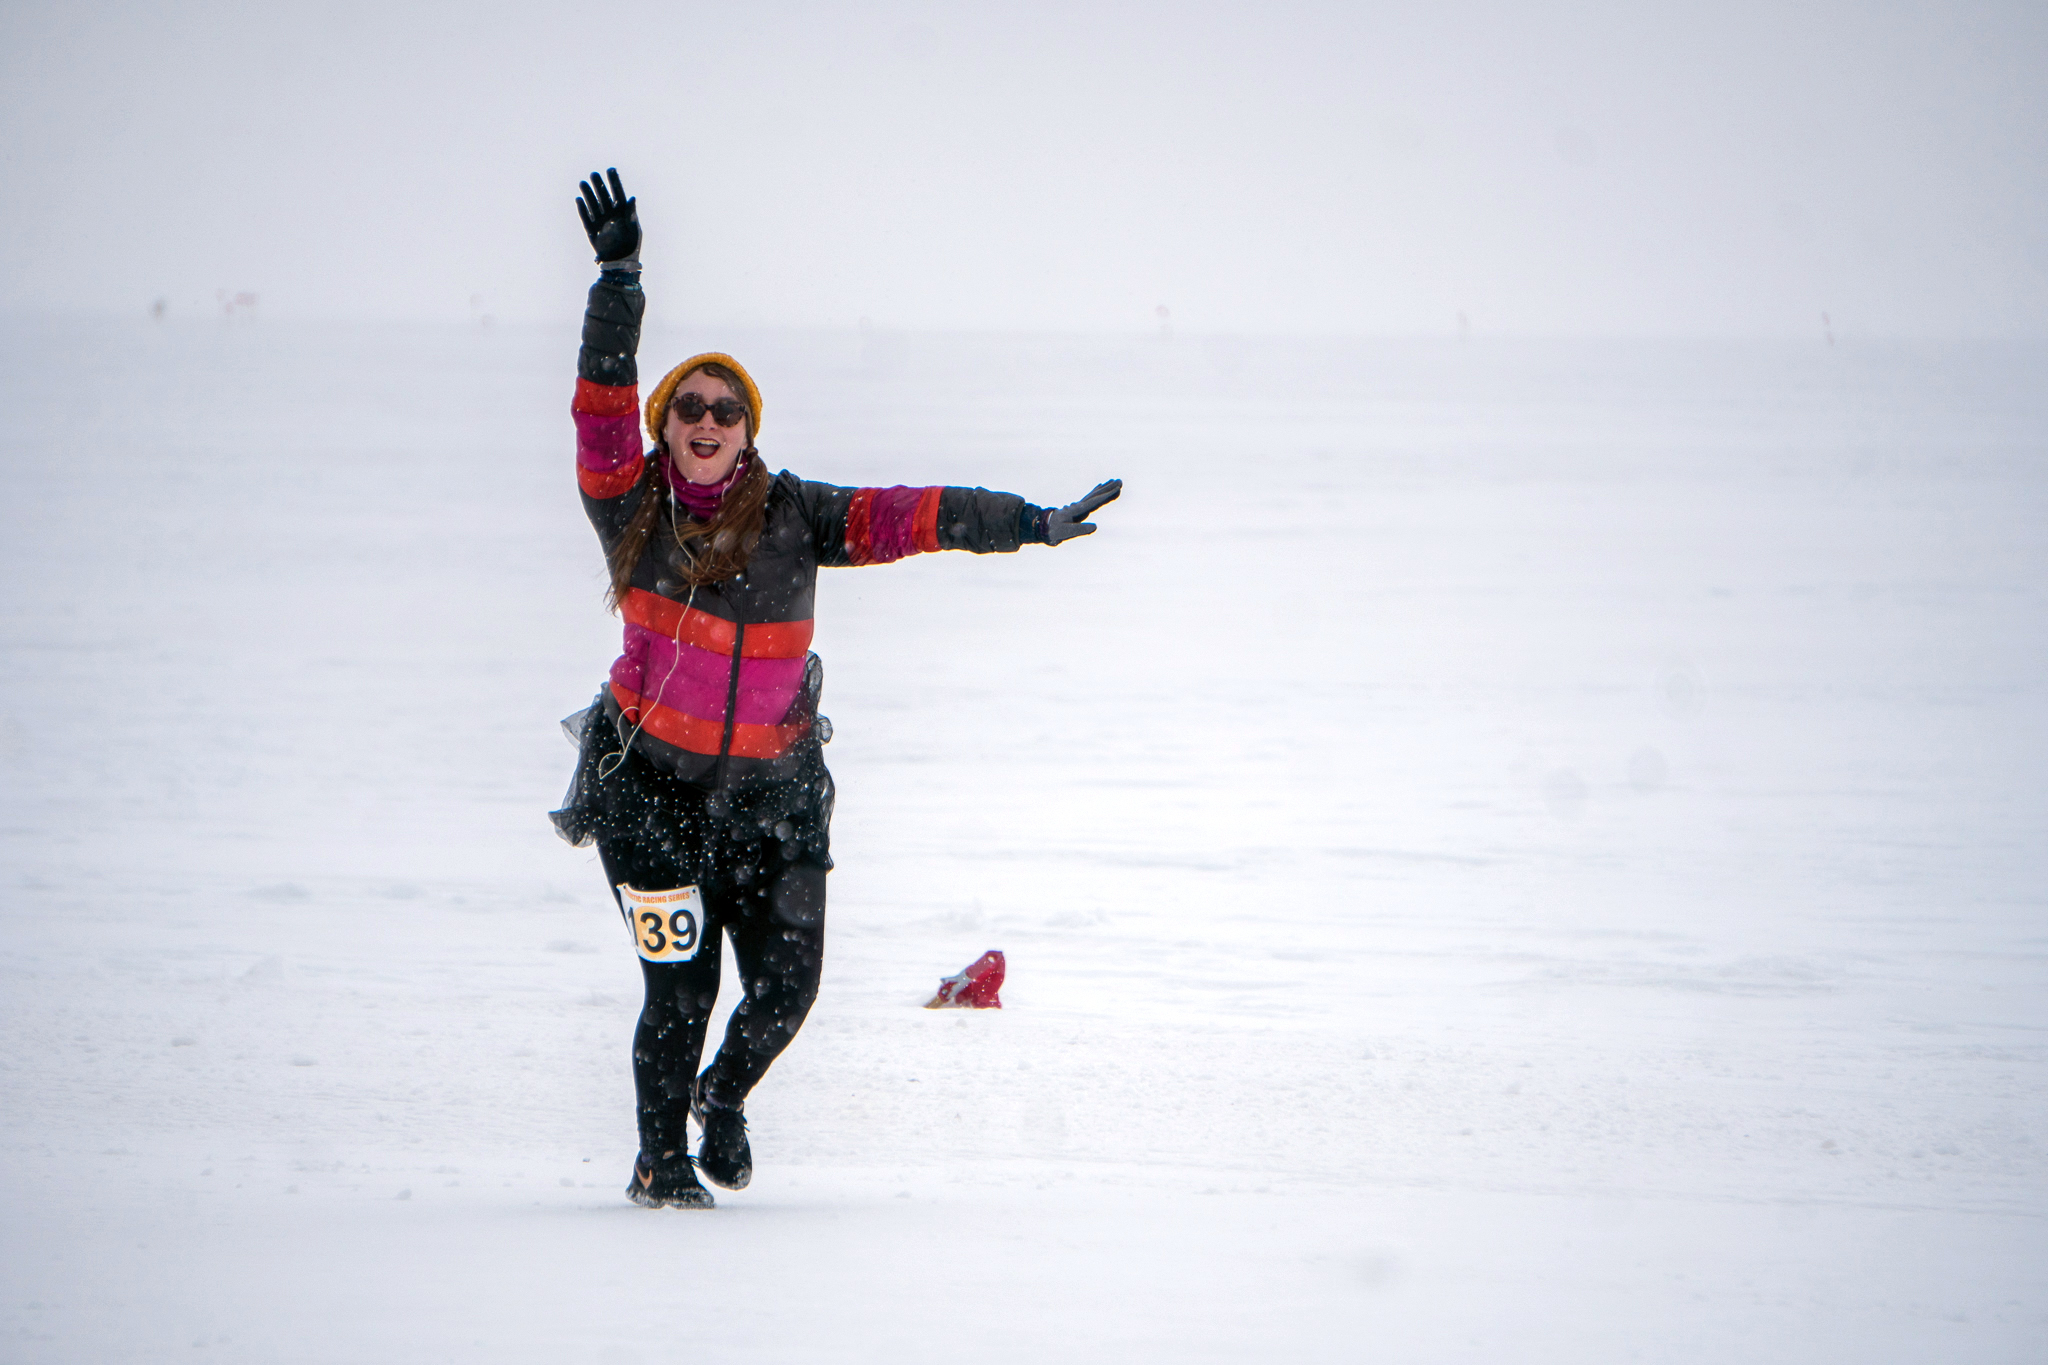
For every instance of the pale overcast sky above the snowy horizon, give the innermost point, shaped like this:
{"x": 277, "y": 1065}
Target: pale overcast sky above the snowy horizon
{"x": 1541, "y": 169}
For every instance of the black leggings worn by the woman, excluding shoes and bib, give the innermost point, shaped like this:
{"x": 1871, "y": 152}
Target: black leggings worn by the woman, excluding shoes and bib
{"x": 777, "y": 922}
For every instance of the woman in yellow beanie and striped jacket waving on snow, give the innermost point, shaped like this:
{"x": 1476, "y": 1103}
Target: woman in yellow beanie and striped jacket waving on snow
{"x": 701, "y": 775}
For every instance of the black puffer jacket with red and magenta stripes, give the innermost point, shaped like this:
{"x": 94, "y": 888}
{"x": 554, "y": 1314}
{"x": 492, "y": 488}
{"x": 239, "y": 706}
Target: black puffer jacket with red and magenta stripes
{"x": 720, "y": 680}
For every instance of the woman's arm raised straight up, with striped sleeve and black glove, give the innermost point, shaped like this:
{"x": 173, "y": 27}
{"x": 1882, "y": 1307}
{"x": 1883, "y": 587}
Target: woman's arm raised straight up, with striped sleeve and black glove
{"x": 609, "y": 457}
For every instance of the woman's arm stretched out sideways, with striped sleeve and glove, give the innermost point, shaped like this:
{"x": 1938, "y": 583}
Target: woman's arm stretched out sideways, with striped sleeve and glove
{"x": 880, "y": 527}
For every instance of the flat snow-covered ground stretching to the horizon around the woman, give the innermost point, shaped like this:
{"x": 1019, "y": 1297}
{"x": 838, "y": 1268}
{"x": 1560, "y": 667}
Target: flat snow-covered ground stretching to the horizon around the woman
{"x": 1508, "y": 852}
